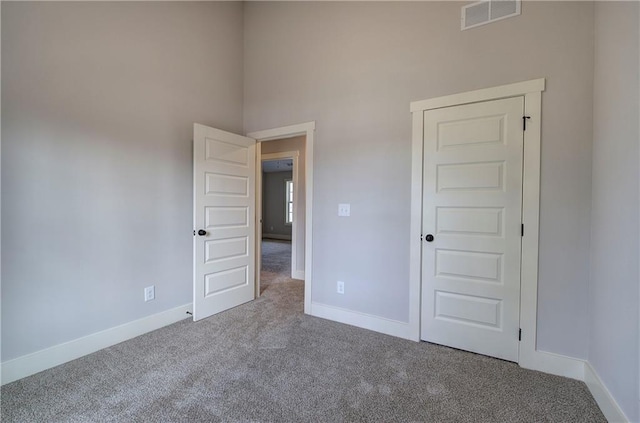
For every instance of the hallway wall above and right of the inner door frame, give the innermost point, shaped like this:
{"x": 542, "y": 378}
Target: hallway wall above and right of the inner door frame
{"x": 295, "y": 144}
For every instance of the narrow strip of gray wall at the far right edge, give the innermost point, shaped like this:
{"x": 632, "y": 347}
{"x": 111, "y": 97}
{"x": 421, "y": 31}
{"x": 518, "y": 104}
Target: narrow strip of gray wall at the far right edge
{"x": 613, "y": 346}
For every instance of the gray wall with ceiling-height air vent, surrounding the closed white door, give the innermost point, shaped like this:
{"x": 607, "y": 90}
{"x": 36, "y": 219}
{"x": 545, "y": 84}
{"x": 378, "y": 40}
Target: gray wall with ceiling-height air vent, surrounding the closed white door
{"x": 354, "y": 68}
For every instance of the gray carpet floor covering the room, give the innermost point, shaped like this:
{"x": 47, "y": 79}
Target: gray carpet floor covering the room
{"x": 266, "y": 361}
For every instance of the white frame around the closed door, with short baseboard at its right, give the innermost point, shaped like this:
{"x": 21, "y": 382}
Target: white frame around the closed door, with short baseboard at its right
{"x": 529, "y": 356}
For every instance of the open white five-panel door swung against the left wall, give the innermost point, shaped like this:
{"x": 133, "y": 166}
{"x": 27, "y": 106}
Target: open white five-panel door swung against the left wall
{"x": 224, "y": 220}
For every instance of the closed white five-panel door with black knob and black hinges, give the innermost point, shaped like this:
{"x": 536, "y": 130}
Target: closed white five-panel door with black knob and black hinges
{"x": 471, "y": 226}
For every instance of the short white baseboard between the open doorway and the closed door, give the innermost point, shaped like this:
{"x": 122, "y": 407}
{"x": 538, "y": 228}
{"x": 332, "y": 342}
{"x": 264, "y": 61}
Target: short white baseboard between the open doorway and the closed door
{"x": 362, "y": 320}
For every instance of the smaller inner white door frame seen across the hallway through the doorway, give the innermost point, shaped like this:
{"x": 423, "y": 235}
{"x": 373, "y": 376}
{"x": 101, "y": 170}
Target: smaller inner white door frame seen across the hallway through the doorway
{"x": 293, "y": 155}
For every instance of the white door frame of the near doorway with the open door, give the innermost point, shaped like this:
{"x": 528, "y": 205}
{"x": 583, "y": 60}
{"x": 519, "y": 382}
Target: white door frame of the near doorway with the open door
{"x": 307, "y": 129}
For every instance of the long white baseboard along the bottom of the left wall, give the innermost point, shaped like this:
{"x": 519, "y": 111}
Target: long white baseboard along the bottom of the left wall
{"x": 38, "y": 361}
